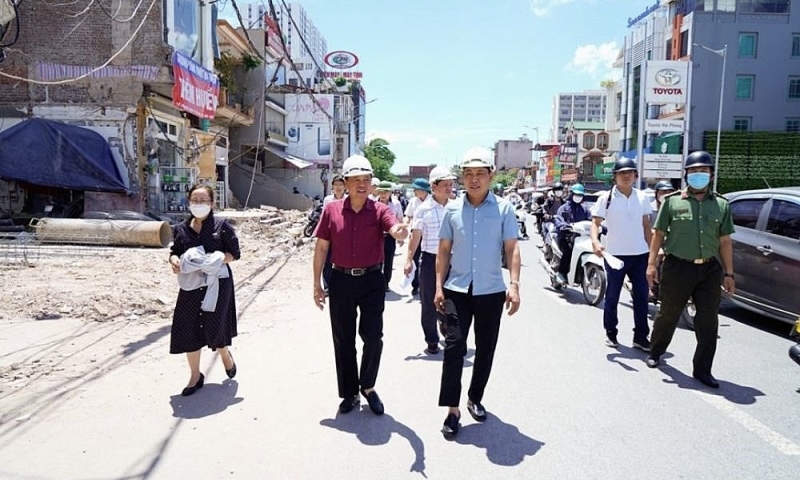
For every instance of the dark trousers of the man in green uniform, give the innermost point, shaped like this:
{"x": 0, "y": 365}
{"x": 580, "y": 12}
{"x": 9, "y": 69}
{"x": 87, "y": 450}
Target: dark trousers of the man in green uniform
{"x": 681, "y": 280}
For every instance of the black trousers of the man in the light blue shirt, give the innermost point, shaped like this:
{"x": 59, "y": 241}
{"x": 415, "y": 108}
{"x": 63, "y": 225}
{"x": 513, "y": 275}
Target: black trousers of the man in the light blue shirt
{"x": 460, "y": 310}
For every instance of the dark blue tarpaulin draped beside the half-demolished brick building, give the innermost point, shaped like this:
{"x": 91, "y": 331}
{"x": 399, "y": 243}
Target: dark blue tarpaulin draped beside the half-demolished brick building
{"x": 54, "y": 154}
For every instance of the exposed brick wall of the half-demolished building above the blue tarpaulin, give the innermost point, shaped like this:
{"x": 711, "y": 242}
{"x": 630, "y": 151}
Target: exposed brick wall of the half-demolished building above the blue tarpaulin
{"x": 50, "y": 33}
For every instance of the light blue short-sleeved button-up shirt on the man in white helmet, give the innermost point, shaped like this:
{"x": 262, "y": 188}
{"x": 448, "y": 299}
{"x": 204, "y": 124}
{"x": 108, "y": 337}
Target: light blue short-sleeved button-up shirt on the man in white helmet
{"x": 477, "y": 234}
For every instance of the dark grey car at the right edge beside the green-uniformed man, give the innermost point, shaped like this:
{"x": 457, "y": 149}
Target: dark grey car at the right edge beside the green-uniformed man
{"x": 766, "y": 251}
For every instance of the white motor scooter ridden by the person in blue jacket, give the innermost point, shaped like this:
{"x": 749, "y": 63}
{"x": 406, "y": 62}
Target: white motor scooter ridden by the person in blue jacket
{"x": 586, "y": 269}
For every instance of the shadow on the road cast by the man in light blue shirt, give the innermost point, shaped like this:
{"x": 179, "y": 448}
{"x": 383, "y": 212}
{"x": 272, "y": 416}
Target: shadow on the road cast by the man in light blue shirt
{"x": 504, "y": 444}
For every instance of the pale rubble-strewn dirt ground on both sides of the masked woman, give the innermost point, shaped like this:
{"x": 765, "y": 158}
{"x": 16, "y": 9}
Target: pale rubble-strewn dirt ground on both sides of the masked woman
{"x": 96, "y": 289}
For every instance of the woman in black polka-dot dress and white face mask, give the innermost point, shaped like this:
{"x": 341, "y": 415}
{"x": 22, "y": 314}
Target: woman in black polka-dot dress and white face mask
{"x": 192, "y": 328}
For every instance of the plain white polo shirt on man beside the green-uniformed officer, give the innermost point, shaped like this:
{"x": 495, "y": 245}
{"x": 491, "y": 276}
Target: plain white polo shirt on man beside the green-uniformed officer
{"x": 623, "y": 218}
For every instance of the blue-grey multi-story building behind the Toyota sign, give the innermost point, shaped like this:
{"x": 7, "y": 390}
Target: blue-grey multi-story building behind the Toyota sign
{"x": 752, "y": 47}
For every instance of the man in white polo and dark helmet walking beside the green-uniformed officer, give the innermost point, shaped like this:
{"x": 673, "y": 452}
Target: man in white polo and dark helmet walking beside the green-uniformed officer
{"x": 626, "y": 212}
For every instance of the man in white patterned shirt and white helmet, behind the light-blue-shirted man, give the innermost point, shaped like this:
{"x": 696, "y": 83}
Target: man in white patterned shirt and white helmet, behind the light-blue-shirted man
{"x": 425, "y": 238}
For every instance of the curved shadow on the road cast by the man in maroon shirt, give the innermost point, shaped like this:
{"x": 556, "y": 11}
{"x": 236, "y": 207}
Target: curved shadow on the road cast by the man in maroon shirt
{"x": 377, "y": 431}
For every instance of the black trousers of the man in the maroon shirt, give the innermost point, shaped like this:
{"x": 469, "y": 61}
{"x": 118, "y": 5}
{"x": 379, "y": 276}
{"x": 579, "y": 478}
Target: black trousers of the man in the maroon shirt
{"x": 348, "y": 297}
